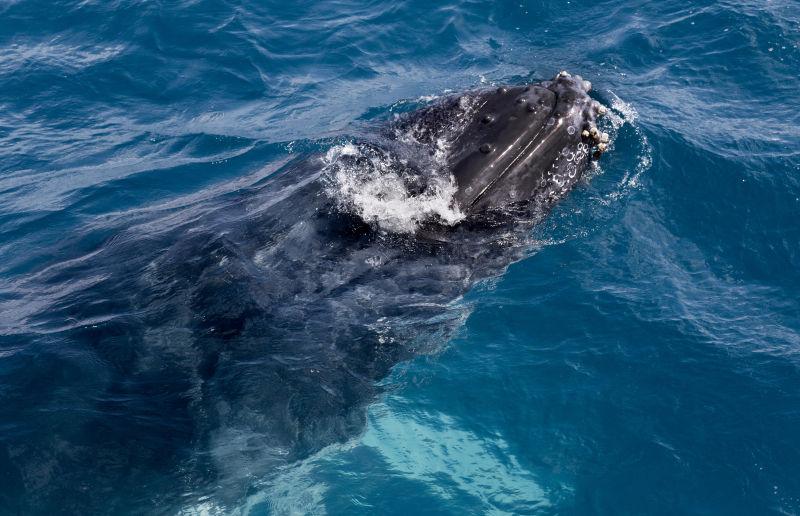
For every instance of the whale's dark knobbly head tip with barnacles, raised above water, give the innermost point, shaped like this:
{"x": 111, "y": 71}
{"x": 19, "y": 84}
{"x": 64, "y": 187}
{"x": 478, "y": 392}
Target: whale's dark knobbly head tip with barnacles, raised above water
{"x": 526, "y": 143}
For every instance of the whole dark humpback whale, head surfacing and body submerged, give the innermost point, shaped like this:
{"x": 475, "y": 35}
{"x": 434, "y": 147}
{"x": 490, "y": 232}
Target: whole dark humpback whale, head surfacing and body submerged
{"x": 203, "y": 348}
